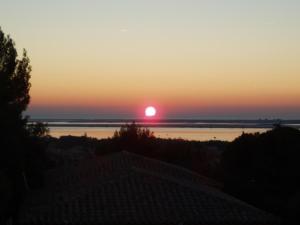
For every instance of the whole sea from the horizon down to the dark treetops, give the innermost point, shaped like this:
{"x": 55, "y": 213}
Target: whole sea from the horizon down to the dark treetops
{"x": 198, "y": 130}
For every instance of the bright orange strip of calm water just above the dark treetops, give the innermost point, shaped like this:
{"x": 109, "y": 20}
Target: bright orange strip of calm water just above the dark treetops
{"x": 200, "y": 134}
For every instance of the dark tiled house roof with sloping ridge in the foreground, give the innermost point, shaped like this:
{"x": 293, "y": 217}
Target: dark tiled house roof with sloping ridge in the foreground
{"x": 124, "y": 188}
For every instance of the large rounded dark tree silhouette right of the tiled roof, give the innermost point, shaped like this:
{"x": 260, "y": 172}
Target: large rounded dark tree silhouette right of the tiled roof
{"x": 263, "y": 169}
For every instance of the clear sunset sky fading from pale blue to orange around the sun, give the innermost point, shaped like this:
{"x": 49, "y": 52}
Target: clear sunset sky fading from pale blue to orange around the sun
{"x": 234, "y": 59}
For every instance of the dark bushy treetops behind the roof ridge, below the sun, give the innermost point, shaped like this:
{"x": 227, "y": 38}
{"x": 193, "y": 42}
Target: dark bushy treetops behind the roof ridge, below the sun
{"x": 202, "y": 157}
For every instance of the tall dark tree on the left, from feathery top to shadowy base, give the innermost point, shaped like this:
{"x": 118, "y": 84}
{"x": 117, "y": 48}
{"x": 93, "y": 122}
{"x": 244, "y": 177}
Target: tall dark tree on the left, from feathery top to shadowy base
{"x": 21, "y": 155}
